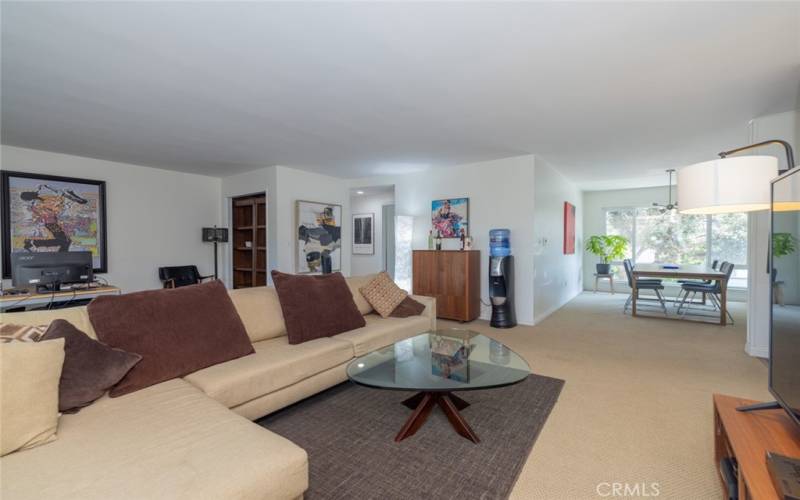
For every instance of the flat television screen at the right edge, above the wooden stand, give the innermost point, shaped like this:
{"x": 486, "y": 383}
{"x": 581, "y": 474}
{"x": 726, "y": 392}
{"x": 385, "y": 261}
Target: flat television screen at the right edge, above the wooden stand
{"x": 784, "y": 373}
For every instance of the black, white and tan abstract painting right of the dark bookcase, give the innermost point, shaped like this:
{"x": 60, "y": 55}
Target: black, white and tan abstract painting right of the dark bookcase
{"x": 319, "y": 235}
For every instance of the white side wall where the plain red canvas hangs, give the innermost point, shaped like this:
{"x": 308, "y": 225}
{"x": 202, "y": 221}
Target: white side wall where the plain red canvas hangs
{"x": 557, "y": 277}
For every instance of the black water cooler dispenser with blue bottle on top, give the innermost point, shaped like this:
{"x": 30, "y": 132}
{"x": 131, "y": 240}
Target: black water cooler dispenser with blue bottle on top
{"x": 501, "y": 283}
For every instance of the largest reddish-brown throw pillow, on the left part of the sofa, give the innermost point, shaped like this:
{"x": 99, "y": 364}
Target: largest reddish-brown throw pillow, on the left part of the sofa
{"x": 176, "y": 331}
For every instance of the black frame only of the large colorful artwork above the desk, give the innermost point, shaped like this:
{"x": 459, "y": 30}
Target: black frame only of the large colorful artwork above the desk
{"x": 5, "y": 203}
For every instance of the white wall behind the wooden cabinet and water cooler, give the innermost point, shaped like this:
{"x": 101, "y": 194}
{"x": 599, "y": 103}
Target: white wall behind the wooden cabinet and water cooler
{"x": 501, "y": 196}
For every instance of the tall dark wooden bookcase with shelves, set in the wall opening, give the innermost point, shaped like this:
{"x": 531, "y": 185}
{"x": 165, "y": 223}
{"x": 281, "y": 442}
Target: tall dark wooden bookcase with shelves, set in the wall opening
{"x": 249, "y": 218}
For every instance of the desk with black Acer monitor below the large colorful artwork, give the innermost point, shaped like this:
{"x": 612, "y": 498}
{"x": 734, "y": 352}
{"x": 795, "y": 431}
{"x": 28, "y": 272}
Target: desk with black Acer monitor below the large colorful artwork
{"x": 52, "y": 280}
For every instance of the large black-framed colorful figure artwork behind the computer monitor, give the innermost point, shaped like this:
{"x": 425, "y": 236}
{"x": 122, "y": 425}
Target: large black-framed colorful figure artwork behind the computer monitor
{"x": 47, "y": 213}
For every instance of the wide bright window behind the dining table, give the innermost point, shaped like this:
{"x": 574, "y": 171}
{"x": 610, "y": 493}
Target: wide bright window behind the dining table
{"x": 658, "y": 235}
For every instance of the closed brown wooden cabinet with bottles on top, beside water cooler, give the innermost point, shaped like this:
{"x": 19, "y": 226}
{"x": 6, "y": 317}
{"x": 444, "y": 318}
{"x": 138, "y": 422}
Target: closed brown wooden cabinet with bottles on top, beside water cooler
{"x": 453, "y": 277}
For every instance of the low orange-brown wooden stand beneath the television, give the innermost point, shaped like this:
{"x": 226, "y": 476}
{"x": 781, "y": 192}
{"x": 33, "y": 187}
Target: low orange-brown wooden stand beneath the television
{"x": 747, "y": 437}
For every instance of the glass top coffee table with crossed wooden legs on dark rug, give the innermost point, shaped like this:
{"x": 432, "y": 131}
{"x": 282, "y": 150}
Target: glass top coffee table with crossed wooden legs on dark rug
{"x": 436, "y": 364}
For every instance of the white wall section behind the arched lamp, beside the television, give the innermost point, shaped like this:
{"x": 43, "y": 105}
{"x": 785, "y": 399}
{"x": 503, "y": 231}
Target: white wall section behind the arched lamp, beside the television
{"x": 785, "y": 126}
